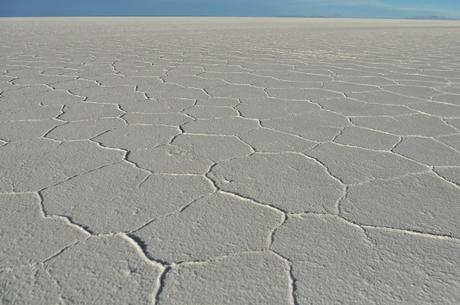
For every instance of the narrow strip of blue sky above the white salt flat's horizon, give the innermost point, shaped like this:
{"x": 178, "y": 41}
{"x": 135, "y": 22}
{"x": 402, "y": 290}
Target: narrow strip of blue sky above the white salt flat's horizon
{"x": 315, "y": 8}
